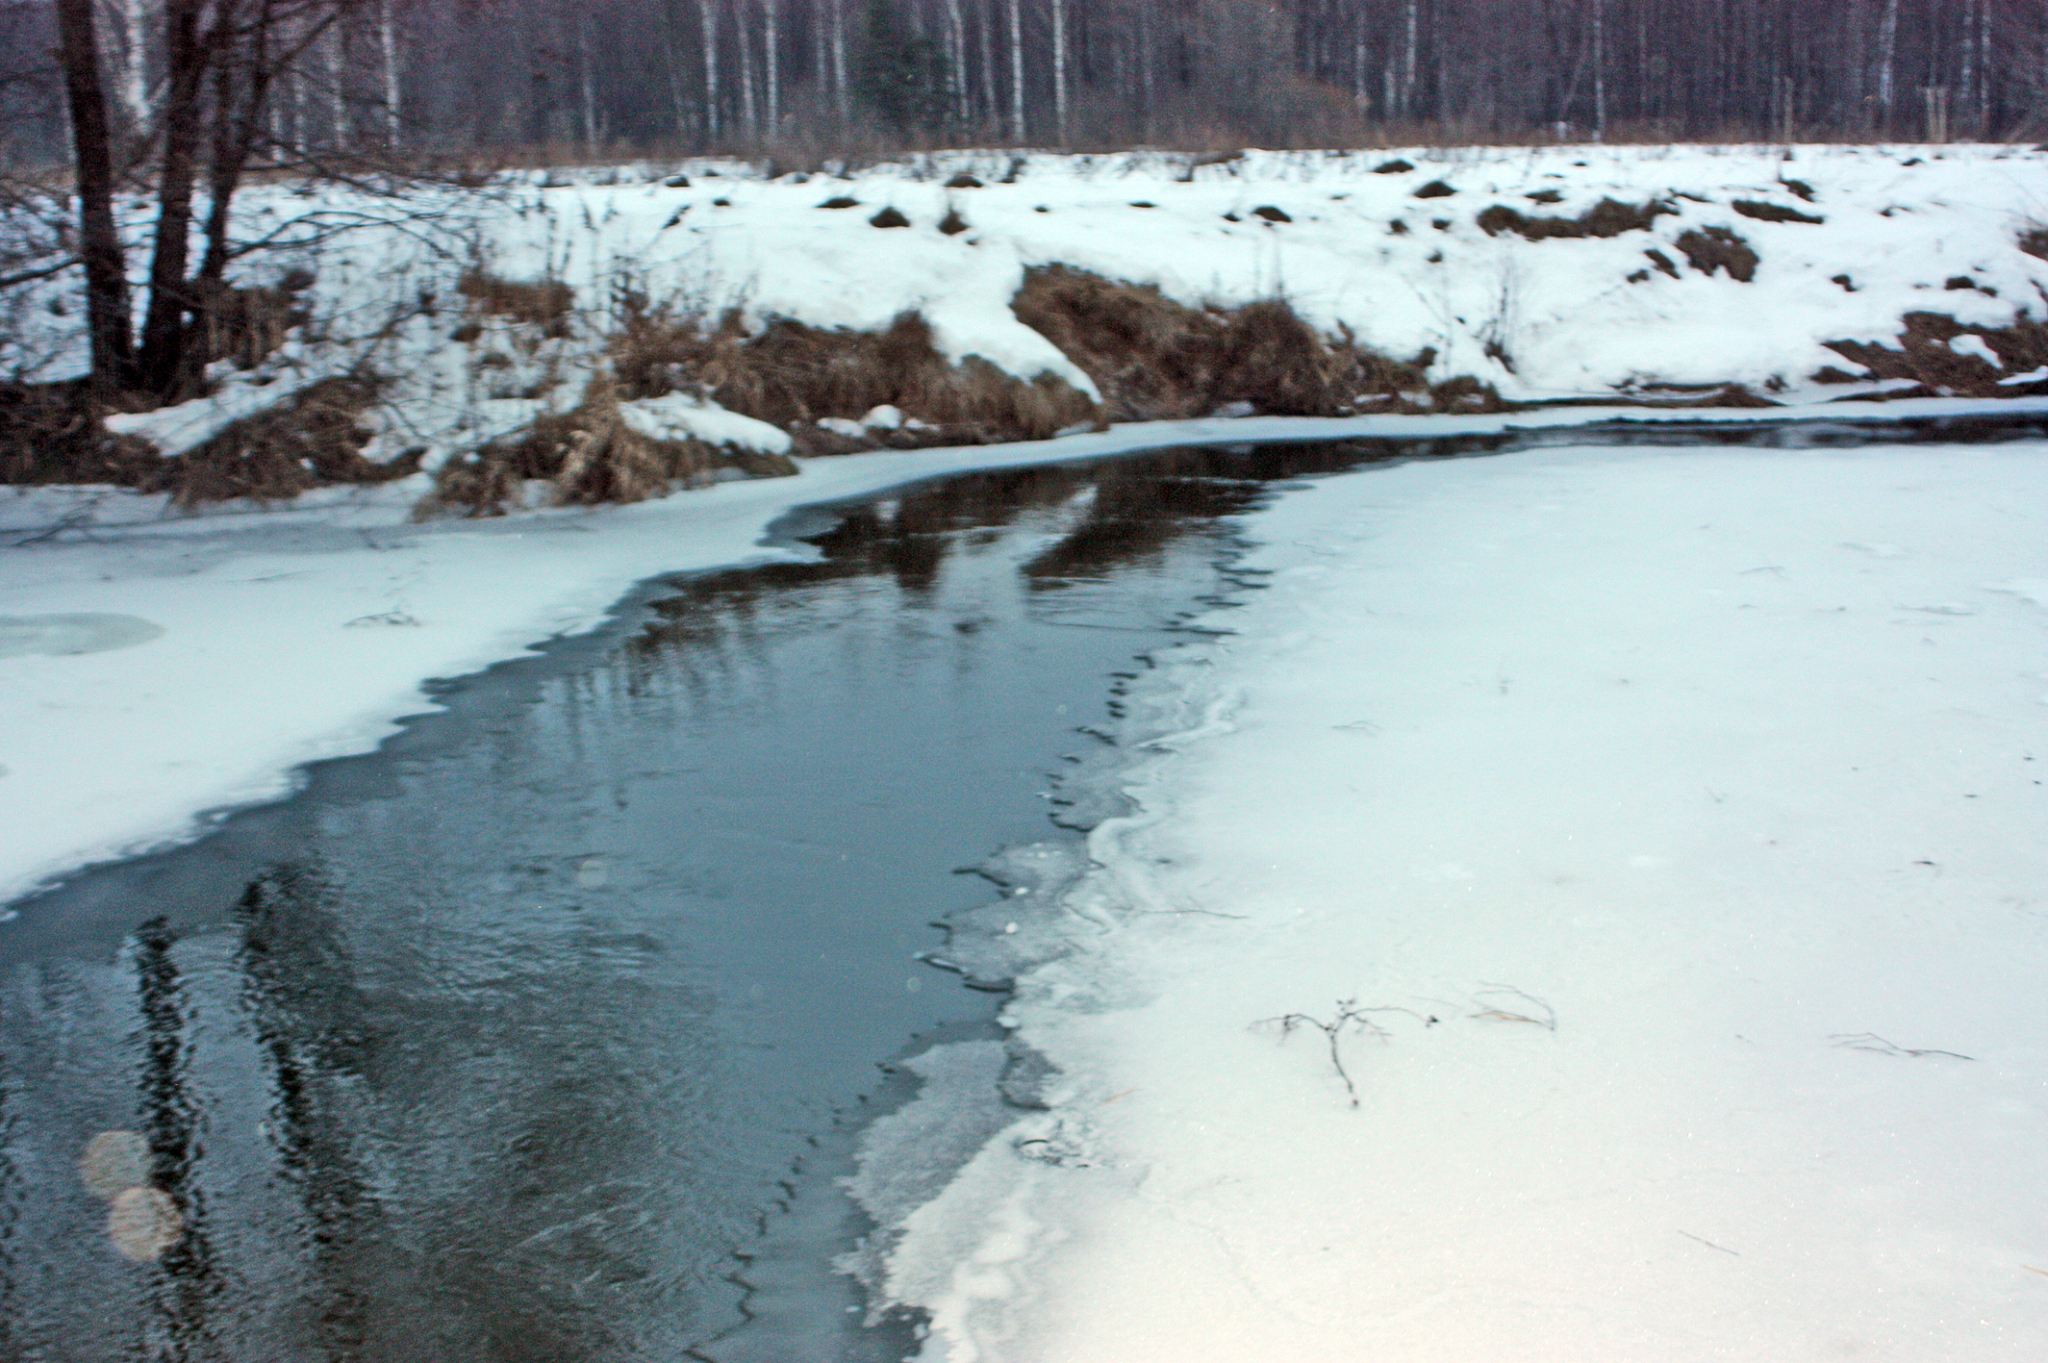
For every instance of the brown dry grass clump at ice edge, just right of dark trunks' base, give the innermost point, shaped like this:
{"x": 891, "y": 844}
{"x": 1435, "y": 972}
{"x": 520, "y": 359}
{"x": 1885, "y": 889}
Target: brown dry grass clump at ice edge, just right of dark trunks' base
{"x": 312, "y": 441}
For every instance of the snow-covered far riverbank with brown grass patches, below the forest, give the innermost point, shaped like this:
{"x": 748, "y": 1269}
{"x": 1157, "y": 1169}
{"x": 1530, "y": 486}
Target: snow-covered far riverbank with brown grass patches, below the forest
{"x": 1046, "y": 292}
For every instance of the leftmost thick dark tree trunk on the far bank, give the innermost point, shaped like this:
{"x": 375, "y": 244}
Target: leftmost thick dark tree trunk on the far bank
{"x": 108, "y": 300}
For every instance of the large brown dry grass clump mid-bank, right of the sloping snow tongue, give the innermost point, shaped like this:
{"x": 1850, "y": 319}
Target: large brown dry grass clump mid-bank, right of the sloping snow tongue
{"x": 1156, "y": 359}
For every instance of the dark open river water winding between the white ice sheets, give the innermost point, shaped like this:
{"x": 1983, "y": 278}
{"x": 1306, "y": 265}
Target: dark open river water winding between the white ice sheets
{"x": 503, "y": 1043}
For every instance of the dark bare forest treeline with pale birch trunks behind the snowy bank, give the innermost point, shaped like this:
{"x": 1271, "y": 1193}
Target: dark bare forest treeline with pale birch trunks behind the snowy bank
{"x": 814, "y": 77}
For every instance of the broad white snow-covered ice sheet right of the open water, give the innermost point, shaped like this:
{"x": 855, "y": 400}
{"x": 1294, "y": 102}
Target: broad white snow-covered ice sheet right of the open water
{"x": 1672, "y": 826}
